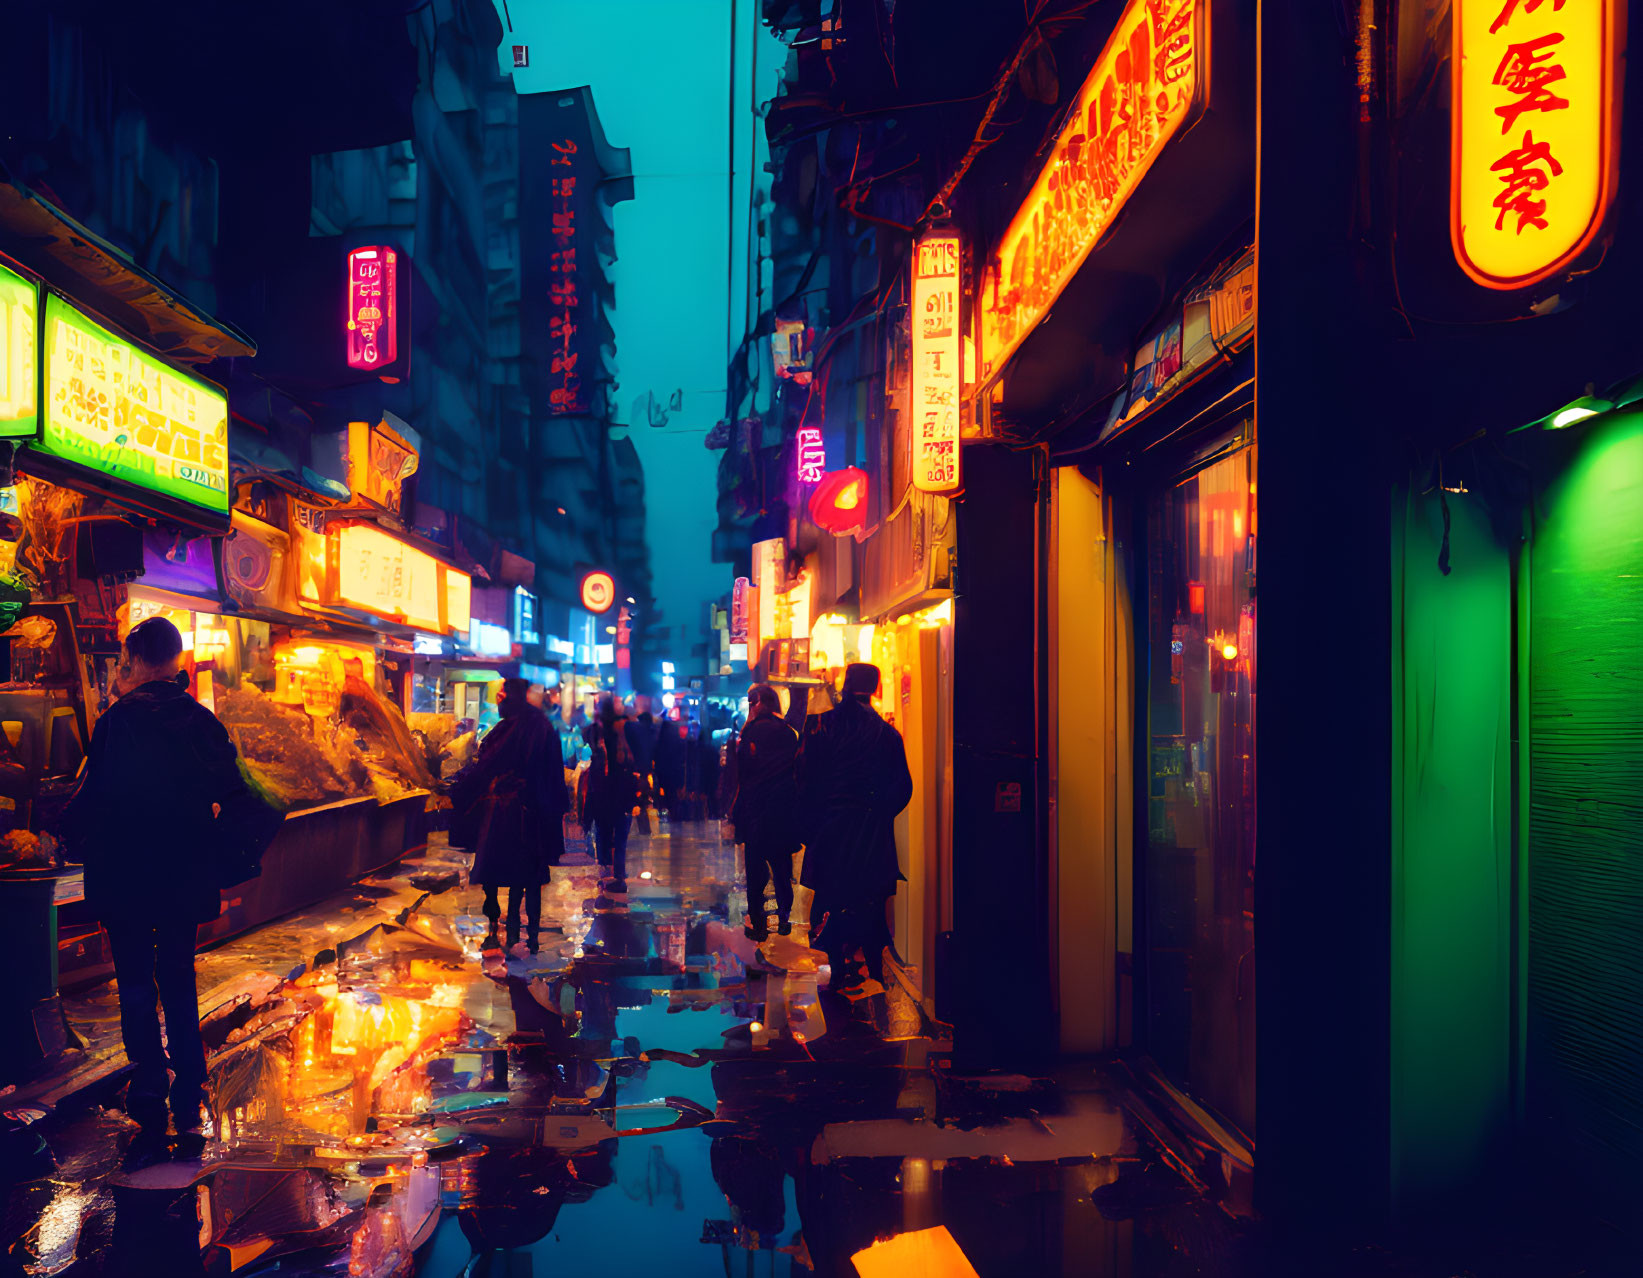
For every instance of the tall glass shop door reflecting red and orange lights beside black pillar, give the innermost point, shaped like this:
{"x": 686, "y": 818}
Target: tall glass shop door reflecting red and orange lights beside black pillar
{"x": 1199, "y": 894}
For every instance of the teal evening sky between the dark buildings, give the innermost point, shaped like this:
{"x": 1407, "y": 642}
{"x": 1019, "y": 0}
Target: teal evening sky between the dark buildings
{"x": 661, "y": 83}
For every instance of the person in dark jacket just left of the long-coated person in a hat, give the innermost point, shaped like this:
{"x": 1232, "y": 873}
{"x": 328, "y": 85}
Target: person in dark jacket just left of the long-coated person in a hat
{"x": 766, "y": 809}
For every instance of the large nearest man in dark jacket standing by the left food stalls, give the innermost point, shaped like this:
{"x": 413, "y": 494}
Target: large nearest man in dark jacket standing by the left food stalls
{"x": 160, "y": 812}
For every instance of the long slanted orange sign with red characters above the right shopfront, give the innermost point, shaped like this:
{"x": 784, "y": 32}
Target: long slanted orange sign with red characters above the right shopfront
{"x": 1143, "y": 90}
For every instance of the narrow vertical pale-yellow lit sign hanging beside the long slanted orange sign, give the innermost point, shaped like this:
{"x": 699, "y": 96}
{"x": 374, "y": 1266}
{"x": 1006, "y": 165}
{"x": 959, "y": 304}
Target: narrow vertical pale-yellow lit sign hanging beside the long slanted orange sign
{"x": 936, "y": 364}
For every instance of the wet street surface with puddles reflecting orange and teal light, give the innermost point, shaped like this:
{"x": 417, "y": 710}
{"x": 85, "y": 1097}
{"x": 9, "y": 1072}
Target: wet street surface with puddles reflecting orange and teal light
{"x": 648, "y": 1095}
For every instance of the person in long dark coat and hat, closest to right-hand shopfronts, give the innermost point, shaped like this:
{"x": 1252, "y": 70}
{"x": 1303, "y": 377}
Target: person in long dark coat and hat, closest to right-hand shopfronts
{"x": 855, "y": 784}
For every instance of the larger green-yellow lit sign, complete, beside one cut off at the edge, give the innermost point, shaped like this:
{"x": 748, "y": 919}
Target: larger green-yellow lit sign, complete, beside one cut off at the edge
{"x": 127, "y": 415}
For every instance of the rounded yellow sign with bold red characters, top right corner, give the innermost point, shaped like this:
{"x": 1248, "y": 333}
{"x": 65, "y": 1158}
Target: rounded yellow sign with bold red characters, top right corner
{"x": 1534, "y": 126}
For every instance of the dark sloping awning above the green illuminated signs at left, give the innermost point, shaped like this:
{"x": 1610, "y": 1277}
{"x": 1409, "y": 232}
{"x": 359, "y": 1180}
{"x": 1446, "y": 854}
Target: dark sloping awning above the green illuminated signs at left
{"x": 94, "y": 272}
